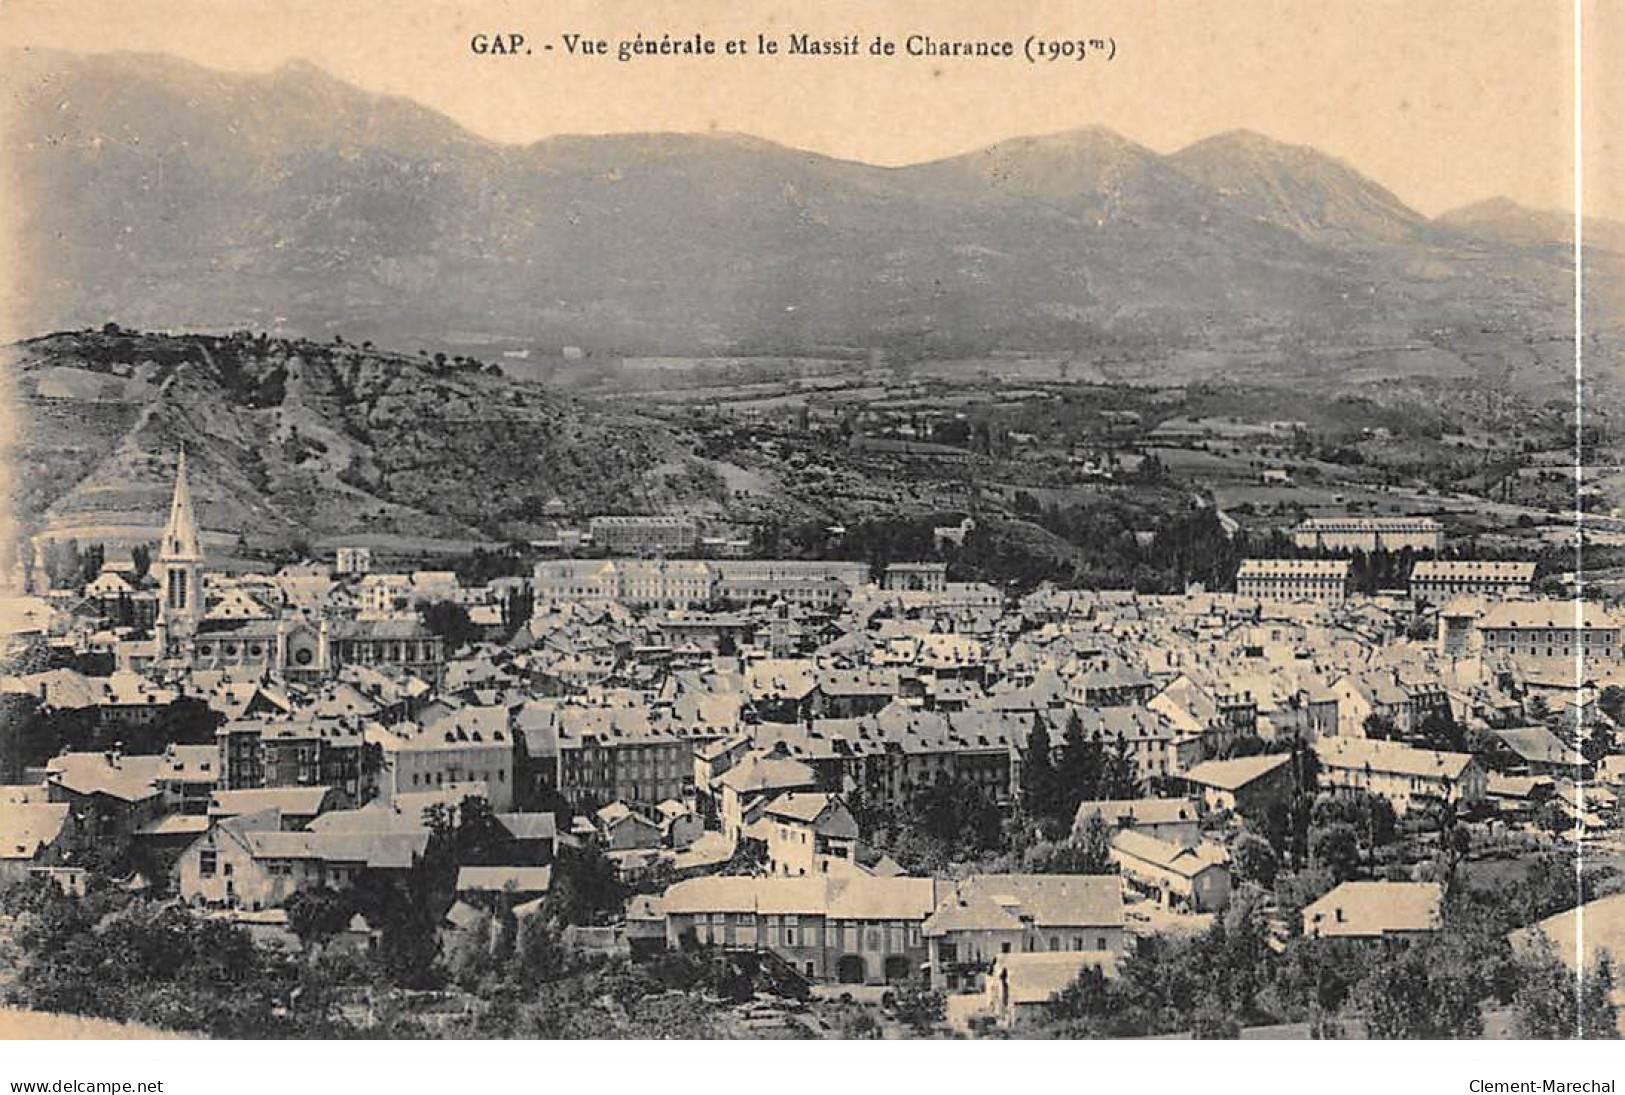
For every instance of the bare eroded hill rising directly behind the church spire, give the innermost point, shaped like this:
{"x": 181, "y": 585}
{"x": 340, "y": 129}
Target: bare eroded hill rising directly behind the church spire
{"x": 295, "y": 439}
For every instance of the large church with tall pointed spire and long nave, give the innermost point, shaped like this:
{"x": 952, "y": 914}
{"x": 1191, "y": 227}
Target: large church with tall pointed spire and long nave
{"x": 245, "y": 639}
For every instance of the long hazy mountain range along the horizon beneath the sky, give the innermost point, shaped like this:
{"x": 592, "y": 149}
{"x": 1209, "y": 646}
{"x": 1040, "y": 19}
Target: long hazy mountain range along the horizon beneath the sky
{"x": 158, "y": 194}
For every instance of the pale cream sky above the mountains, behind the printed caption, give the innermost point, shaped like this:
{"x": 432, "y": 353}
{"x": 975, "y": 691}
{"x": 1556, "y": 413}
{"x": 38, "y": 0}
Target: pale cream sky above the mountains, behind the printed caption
{"x": 1445, "y": 103}
